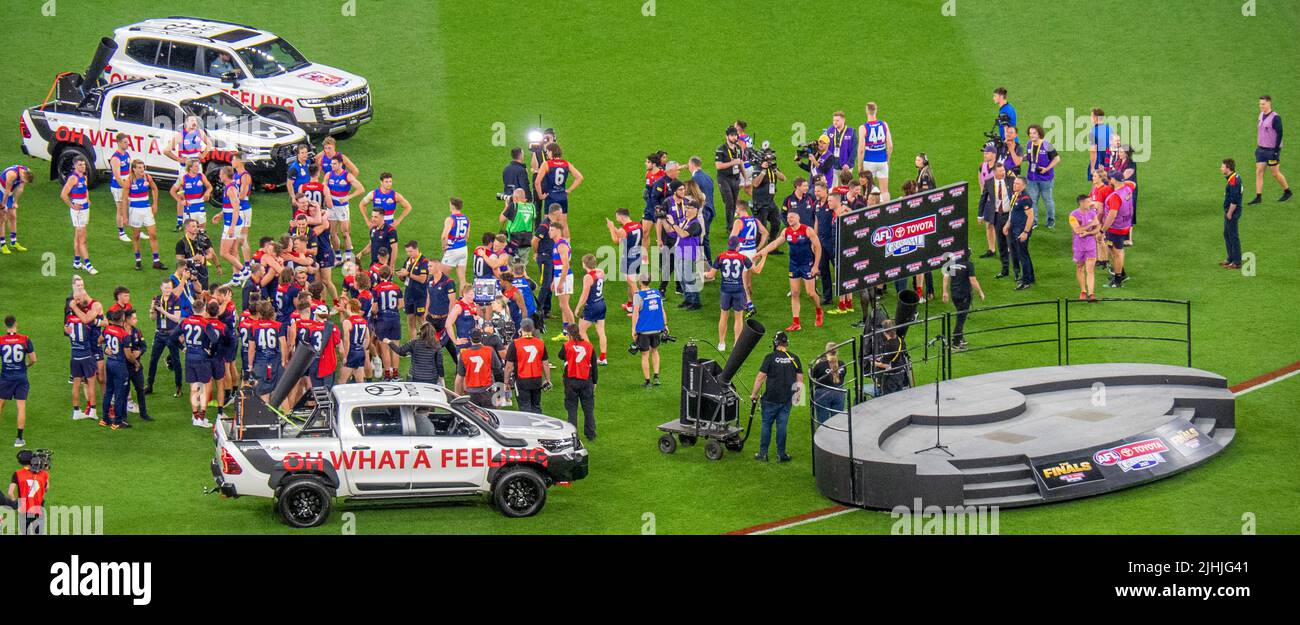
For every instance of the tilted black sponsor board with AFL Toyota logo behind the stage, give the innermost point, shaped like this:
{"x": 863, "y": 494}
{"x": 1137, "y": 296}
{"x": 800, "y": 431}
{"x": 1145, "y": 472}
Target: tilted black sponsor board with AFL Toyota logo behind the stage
{"x": 900, "y": 238}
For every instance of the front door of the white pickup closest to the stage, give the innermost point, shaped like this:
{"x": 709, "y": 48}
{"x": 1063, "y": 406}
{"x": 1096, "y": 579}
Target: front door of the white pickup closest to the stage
{"x": 450, "y": 453}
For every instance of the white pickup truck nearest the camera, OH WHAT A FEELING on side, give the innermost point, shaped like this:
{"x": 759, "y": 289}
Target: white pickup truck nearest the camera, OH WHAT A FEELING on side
{"x": 392, "y": 441}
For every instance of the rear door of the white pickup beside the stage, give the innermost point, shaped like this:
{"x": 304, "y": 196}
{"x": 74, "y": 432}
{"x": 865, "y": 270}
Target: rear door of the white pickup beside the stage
{"x": 372, "y": 454}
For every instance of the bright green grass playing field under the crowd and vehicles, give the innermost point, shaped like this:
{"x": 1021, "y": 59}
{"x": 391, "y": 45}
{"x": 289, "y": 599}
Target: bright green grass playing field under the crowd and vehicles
{"x": 618, "y": 84}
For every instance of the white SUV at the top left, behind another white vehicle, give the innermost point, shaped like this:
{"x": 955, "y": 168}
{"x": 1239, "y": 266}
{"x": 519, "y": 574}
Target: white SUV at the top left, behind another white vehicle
{"x": 258, "y": 68}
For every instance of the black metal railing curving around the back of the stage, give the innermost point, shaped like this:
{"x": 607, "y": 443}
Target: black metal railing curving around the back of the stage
{"x": 878, "y": 366}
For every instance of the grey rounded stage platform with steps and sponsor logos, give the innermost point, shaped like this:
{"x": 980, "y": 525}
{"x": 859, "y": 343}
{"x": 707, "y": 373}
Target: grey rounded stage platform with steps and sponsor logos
{"x": 1026, "y": 437}
